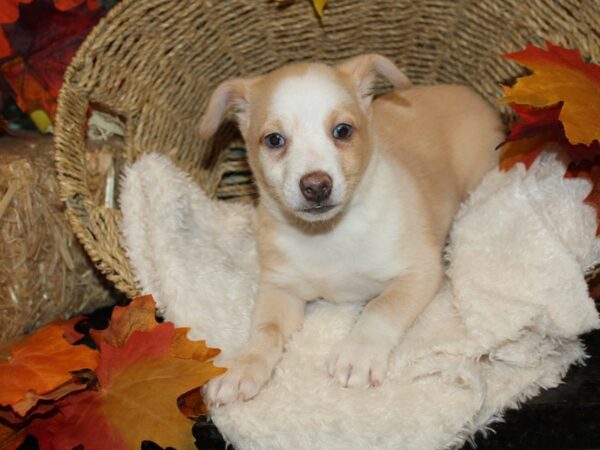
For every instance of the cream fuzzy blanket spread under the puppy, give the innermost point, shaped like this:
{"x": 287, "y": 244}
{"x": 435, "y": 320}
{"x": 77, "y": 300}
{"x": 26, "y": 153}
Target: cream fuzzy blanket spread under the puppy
{"x": 504, "y": 325}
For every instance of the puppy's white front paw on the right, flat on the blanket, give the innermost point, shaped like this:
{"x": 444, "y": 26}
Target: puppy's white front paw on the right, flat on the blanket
{"x": 358, "y": 363}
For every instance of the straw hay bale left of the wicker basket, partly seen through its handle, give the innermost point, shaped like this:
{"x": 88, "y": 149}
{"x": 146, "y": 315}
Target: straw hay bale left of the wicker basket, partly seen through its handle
{"x": 44, "y": 272}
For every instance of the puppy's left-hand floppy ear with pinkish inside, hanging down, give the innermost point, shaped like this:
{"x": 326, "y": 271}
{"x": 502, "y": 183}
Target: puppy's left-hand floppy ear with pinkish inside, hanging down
{"x": 229, "y": 95}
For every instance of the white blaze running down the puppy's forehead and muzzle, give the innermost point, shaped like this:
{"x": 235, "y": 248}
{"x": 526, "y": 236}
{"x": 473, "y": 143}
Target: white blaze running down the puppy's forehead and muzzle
{"x": 303, "y": 105}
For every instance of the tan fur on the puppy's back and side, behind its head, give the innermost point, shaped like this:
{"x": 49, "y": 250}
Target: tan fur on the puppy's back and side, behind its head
{"x": 433, "y": 131}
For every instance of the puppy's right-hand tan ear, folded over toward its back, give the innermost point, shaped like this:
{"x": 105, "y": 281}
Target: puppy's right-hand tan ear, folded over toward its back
{"x": 361, "y": 70}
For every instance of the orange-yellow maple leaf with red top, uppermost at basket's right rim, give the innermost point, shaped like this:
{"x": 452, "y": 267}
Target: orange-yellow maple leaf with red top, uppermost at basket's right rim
{"x": 560, "y": 76}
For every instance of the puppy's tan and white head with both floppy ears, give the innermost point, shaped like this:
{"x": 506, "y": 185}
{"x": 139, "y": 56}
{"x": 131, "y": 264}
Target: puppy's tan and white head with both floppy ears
{"x": 307, "y": 130}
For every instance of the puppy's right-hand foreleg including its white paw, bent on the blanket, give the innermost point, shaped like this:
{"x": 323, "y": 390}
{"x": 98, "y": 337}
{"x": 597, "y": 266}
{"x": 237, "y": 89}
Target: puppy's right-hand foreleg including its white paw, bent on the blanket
{"x": 361, "y": 360}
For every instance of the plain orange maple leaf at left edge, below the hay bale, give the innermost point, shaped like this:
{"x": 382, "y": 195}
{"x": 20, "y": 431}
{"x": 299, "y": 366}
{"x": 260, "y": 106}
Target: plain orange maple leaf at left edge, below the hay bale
{"x": 40, "y": 363}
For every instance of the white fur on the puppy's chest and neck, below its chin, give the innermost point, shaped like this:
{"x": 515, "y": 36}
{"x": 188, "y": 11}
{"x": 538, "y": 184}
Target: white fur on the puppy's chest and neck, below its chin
{"x": 353, "y": 261}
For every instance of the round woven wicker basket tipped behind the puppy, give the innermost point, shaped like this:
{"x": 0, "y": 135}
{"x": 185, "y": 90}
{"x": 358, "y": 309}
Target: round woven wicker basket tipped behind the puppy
{"x": 154, "y": 63}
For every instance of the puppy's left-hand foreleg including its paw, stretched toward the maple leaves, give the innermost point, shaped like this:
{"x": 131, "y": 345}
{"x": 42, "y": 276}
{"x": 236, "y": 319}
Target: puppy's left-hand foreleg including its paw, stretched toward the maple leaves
{"x": 277, "y": 314}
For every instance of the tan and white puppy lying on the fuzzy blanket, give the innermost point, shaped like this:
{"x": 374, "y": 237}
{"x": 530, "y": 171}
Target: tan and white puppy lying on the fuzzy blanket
{"x": 356, "y": 199}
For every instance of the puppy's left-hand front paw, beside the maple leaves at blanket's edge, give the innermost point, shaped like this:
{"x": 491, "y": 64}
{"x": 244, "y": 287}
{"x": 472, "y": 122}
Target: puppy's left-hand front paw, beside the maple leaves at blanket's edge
{"x": 242, "y": 381}
